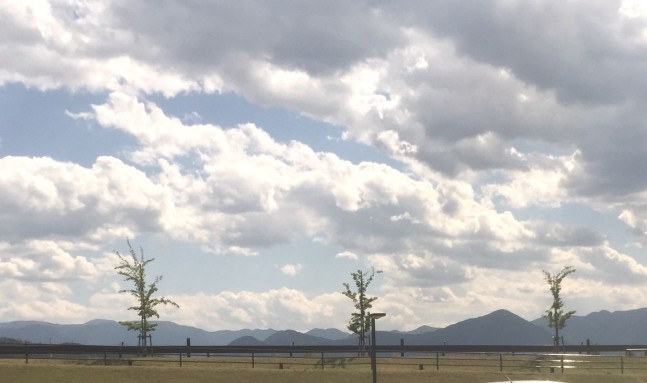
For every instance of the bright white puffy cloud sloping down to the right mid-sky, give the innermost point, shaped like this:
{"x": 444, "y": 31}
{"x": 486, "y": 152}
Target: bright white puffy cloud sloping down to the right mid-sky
{"x": 247, "y": 182}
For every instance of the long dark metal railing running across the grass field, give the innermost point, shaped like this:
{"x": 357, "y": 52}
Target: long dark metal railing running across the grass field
{"x": 609, "y": 358}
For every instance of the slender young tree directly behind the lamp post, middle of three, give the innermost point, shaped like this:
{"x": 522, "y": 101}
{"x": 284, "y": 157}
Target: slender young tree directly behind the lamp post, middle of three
{"x": 360, "y": 322}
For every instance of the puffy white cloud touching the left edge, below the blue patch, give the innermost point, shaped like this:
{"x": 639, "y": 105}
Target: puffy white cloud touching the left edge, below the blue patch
{"x": 40, "y": 193}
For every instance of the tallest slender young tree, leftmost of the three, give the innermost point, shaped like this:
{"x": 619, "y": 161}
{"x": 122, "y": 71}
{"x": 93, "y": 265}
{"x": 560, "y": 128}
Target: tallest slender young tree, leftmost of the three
{"x": 133, "y": 269}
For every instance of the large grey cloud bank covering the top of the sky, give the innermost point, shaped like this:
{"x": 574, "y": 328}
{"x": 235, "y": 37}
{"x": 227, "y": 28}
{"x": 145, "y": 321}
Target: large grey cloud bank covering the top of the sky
{"x": 469, "y": 114}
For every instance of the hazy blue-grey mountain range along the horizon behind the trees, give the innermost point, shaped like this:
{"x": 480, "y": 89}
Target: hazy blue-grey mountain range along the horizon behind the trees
{"x": 500, "y": 327}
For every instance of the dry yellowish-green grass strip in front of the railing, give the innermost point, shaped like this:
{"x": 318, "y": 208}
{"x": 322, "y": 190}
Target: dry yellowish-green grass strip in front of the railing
{"x": 17, "y": 372}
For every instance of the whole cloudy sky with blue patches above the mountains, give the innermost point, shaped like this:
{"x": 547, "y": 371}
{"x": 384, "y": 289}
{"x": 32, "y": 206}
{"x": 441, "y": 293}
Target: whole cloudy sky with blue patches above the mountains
{"x": 262, "y": 151}
